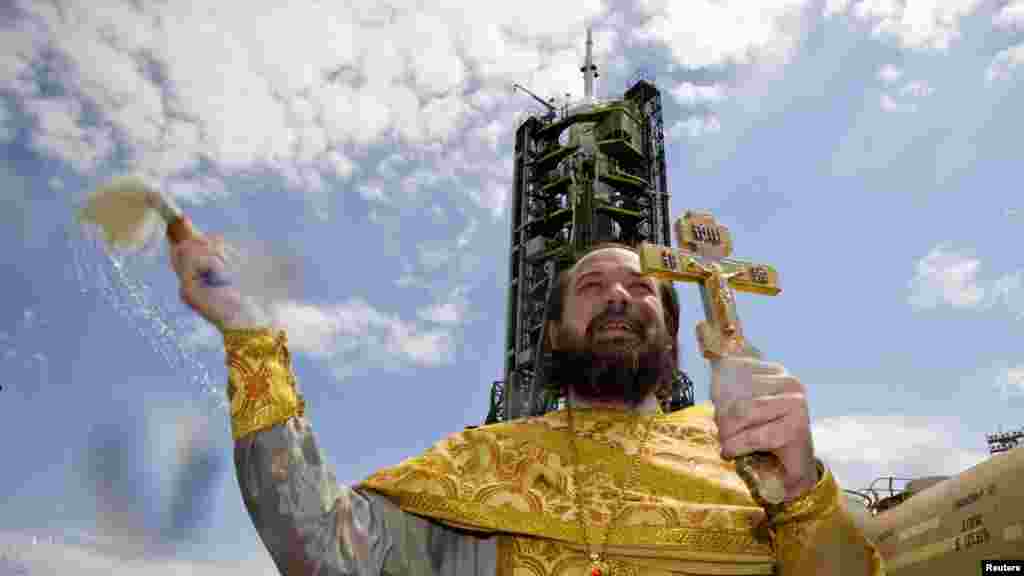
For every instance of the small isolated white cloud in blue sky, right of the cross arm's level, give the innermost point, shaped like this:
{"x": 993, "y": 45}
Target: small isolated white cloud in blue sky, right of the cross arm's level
{"x": 947, "y": 277}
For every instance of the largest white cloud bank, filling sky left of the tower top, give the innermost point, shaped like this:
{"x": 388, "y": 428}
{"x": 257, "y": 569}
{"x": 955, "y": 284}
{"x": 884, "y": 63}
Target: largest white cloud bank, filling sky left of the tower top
{"x": 303, "y": 93}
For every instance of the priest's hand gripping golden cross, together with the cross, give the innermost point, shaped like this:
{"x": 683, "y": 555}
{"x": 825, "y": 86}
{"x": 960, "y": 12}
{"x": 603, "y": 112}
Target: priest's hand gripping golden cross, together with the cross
{"x": 760, "y": 409}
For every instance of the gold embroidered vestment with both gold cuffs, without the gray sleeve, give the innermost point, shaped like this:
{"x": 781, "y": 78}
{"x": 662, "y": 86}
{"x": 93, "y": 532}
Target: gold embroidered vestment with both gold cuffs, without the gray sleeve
{"x": 688, "y": 513}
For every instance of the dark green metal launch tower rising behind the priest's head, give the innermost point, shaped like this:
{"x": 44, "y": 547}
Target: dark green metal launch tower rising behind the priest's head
{"x": 594, "y": 174}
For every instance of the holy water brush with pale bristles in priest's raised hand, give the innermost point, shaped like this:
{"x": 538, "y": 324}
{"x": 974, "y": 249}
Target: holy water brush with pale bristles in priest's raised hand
{"x": 130, "y": 214}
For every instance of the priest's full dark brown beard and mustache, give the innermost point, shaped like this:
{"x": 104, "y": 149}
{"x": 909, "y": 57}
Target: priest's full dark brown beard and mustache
{"x": 613, "y": 369}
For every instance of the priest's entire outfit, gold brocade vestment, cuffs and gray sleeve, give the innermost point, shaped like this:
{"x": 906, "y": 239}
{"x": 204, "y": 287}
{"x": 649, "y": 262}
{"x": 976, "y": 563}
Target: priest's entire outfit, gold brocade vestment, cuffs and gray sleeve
{"x": 686, "y": 513}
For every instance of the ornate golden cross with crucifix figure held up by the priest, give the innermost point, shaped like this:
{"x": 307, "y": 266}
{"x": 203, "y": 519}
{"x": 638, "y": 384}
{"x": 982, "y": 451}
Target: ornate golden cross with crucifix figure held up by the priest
{"x": 703, "y": 258}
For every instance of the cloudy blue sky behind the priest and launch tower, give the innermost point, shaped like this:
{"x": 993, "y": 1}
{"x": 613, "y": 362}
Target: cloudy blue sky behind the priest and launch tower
{"x": 868, "y": 150}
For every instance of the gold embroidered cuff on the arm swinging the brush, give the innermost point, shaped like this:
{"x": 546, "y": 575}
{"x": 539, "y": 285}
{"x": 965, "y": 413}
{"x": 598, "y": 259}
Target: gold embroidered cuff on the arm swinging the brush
{"x": 262, "y": 387}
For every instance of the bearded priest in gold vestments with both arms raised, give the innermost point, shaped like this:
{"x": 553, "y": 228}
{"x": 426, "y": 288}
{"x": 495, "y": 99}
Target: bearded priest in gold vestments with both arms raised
{"x": 608, "y": 486}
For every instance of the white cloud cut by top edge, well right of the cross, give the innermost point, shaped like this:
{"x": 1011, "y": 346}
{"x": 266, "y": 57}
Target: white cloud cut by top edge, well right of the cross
{"x": 921, "y": 25}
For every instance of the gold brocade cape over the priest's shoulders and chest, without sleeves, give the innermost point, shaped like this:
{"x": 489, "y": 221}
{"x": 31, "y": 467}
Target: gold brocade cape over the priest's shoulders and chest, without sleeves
{"x": 689, "y": 512}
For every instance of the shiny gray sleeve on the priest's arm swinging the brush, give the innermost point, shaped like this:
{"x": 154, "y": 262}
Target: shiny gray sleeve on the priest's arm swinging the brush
{"x": 313, "y": 526}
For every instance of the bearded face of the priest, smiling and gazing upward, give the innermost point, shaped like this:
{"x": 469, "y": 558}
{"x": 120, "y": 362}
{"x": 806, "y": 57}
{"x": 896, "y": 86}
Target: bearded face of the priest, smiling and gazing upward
{"x": 612, "y": 344}
